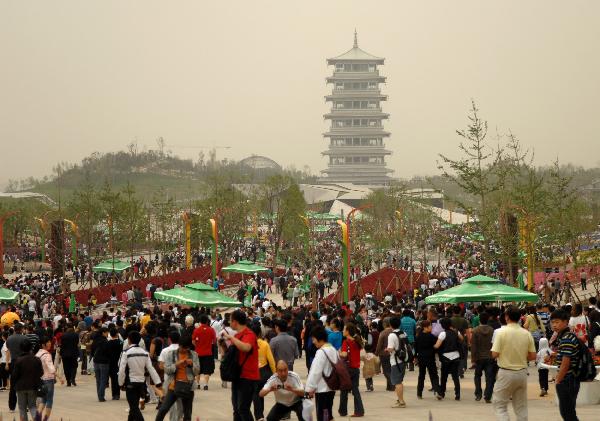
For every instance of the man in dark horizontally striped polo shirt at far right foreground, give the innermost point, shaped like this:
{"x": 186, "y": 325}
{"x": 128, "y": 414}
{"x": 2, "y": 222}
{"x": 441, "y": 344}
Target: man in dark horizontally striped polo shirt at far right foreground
{"x": 567, "y": 358}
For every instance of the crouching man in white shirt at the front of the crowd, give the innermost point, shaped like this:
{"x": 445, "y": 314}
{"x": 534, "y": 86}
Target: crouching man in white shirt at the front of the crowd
{"x": 288, "y": 390}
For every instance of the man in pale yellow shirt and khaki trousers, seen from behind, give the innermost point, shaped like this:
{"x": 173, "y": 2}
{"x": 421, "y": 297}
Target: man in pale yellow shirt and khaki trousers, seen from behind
{"x": 513, "y": 347}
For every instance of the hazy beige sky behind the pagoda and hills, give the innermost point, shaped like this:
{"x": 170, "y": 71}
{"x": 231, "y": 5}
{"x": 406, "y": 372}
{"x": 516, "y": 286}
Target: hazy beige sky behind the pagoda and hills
{"x": 78, "y": 77}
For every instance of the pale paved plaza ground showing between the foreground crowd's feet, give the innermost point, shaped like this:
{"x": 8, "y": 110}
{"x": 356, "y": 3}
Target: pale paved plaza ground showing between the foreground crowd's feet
{"x": 80, "y": 403}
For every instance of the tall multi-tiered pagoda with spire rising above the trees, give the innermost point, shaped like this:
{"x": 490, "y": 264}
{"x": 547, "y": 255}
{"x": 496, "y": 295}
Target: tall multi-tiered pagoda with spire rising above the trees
{"x": 356, "y": 136}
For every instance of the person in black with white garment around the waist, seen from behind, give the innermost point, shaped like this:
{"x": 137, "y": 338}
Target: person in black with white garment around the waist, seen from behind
{"x": 449, "y": 343}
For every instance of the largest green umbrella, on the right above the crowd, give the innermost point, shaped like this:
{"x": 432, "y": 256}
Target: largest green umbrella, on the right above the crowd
{"x": 480, "y": 289}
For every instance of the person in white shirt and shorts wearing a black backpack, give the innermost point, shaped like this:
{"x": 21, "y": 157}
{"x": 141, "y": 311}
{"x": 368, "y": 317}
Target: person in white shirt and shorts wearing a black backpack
{"x": 400, "y": 354}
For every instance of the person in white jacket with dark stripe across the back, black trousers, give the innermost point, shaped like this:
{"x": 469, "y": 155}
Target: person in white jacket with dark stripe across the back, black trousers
{"x": 135, "y": 361}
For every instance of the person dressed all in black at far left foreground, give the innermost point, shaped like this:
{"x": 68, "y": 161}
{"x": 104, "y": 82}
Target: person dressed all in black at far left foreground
{"x": 27, "y": 377}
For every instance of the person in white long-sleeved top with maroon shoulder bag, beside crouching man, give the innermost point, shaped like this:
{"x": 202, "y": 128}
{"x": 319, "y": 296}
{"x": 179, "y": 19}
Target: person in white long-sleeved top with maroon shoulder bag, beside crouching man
{"x": 321, "y": 370}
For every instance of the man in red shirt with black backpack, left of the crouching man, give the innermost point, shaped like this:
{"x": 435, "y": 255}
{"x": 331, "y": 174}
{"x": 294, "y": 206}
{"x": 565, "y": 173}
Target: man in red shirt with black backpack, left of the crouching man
{"x": 244, "y": 347}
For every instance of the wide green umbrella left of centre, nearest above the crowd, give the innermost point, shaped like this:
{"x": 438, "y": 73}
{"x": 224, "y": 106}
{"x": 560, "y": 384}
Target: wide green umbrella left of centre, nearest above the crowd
{"x": 197, "y": 295}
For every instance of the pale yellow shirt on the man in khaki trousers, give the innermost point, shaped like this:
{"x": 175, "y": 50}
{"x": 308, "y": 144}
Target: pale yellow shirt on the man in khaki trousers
{"x": 513, "y": 343}
